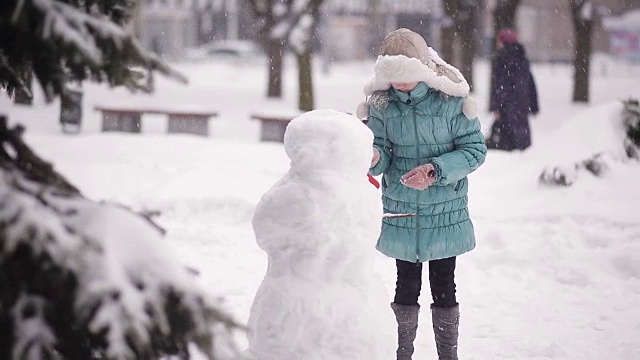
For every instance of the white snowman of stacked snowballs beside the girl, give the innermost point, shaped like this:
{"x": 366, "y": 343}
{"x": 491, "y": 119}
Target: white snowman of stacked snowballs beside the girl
{"x": 320, "y": 299}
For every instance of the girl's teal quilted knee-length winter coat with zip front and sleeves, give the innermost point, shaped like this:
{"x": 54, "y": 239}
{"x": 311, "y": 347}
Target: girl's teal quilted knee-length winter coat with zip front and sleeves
{"x": 416, "y": 128}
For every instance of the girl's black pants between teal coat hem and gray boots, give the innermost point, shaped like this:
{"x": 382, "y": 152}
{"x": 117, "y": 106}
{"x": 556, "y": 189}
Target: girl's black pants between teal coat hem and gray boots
{"x": 441, "y": 281}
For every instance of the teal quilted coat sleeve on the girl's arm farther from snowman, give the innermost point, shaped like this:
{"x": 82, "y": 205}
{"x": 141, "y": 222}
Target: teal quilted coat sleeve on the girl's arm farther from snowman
{"x": 469, "y": 153}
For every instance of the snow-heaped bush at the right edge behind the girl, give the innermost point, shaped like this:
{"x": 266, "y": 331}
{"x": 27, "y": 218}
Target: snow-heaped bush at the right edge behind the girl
{"x": 593, "y": 141}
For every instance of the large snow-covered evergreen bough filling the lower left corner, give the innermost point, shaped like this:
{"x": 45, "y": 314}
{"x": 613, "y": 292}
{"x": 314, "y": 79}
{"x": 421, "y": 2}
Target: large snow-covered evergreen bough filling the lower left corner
{"x": 86, "y": 280}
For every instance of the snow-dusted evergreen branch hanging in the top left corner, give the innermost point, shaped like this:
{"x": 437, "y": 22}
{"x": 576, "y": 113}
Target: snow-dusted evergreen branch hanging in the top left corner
{"x": 63, "y": 41}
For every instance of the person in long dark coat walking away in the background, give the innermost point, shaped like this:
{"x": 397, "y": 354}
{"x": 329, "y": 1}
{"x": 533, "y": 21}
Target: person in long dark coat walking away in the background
{"x": 513, "y": 95}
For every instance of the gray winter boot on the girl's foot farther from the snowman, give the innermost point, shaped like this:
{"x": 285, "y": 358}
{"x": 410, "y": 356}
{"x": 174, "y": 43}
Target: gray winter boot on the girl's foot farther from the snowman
{"x": 445, "y": 328}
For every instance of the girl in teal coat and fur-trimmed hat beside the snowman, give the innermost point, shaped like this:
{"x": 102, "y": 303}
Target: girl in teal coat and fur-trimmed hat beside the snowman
{"x": 427, "y": 140}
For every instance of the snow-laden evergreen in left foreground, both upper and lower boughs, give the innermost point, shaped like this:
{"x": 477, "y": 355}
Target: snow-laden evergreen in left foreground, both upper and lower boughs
{"x": 80, "y": 279}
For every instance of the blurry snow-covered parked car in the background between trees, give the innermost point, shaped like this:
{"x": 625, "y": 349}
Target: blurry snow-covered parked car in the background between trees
{"x": 233, "y": 51}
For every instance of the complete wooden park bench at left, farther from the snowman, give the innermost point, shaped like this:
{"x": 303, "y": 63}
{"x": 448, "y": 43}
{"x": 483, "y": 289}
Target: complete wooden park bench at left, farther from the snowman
{"x": 129, "y": 119}
